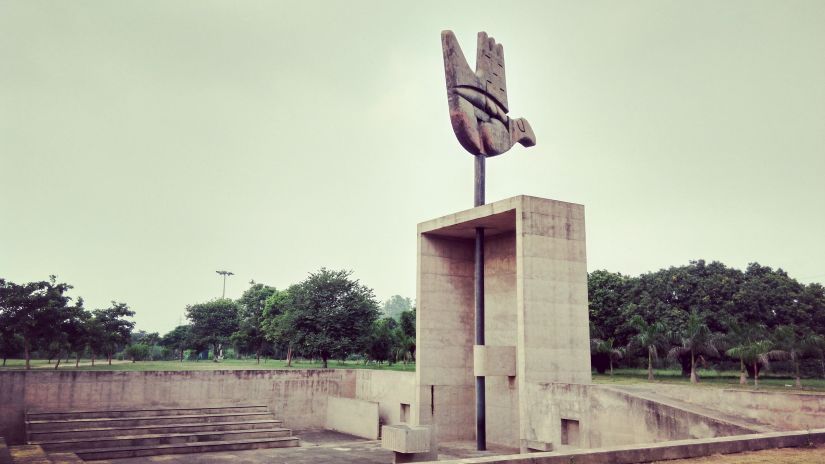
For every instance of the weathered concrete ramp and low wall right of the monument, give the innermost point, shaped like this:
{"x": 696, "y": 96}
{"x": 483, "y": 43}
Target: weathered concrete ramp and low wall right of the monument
{"x": 780, "y": 410}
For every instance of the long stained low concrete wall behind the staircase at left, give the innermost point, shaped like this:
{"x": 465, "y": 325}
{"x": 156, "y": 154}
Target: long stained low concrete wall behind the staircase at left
{"x": 299, "y": 397}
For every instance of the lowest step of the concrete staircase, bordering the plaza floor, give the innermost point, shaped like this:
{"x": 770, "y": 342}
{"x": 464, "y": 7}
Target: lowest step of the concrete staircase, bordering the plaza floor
{"x": 183, "y": 448}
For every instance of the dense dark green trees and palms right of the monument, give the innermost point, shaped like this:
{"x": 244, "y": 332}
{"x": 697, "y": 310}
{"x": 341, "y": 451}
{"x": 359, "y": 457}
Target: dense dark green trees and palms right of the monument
{"x": 708, "y": 314}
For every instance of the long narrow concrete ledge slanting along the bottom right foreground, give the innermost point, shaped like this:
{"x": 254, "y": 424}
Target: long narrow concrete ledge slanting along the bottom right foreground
{"x": 681, "y": 449}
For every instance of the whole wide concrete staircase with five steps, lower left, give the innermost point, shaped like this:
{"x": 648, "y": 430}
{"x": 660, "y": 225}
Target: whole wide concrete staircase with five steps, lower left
{"x": 126, "y": 433}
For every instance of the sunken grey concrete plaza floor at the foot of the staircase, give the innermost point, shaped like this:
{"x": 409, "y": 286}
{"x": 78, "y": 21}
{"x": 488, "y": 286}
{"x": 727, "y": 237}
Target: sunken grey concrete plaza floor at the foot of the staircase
{"x": 317, "y": 446}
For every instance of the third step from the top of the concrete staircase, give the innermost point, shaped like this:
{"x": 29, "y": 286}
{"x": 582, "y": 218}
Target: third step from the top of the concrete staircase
{"x": 151, "y": 429}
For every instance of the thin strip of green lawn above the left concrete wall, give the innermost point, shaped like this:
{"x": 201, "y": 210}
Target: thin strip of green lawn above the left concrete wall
{"x": 227, "y": 364}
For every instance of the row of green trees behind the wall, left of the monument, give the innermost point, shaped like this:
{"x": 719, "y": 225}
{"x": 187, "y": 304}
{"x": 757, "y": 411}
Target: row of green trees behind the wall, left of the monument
{"x": 327, "y": 316}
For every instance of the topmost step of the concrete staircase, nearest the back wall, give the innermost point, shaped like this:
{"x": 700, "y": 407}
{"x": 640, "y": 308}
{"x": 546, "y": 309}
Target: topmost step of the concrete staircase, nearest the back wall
{"x": 35, "y": 415}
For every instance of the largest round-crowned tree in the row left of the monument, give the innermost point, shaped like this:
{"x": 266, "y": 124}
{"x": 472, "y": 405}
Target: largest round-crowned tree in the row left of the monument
{"x": 330, "y": 315}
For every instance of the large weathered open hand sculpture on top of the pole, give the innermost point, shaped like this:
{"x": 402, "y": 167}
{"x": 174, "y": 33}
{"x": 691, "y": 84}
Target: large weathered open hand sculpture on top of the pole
{"x": 478, "y": 100}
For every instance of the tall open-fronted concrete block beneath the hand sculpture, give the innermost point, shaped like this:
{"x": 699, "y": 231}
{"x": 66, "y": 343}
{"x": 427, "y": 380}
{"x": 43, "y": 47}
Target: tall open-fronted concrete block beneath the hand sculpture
{"x": 536, "y": 301}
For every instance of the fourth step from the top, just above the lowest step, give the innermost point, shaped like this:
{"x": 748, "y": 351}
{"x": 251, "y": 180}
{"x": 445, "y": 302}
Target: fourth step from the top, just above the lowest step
{"x": 156, "y": 440}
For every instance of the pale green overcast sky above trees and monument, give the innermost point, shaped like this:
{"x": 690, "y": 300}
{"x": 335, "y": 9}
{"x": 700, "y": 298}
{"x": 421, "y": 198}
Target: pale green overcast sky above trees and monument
{"x": 144, "y": 145}
